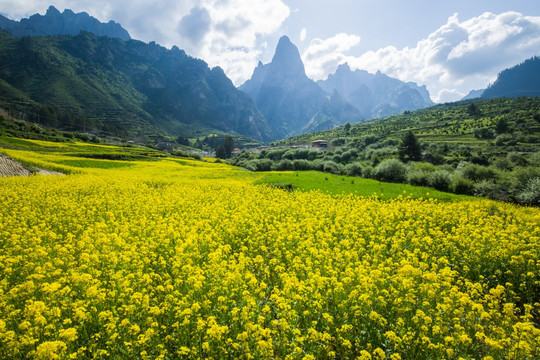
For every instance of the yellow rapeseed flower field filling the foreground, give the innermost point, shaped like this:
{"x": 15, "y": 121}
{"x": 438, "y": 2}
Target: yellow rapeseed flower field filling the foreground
{"x": 182, "y": 259}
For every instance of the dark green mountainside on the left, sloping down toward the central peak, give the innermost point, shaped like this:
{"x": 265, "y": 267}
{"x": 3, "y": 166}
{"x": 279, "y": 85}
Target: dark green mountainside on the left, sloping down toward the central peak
{"x": 130, "y": 89}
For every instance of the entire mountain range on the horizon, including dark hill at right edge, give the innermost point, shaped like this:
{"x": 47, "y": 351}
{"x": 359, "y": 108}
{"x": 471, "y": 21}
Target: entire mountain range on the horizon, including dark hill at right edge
{"x": 97, "y": 73}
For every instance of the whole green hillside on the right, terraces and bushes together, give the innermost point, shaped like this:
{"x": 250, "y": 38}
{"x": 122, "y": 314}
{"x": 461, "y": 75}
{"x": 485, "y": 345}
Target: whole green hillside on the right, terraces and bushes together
{"x": 477, "y": 147}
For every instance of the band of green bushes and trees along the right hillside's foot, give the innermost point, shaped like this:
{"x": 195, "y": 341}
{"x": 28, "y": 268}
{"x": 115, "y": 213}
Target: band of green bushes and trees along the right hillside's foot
{"x": 512, "y": 176}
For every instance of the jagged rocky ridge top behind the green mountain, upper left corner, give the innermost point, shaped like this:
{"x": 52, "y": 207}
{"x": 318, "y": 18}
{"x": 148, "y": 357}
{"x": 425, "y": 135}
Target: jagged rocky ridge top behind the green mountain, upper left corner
{"x": 66, "y": 23}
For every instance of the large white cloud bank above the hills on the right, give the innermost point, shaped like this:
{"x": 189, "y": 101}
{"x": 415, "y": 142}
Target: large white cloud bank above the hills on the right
{"x": 459, "y": 56}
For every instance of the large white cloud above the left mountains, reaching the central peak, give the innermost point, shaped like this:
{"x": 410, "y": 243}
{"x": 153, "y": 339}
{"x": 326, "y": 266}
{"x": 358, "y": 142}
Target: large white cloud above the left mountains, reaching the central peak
{"x": 231, "y": 34}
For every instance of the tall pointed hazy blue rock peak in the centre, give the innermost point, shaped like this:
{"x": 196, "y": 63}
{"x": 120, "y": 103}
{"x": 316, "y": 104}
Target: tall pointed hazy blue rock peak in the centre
{"x": 291, "y": 102}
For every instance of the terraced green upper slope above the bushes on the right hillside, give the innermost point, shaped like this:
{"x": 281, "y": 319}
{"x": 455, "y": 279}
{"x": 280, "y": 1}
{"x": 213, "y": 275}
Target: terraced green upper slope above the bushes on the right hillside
{"x": 446, "y": 123}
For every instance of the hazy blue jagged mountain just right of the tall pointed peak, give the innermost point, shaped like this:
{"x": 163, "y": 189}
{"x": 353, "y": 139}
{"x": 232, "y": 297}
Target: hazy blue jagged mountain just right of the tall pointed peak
{"x": 376, "y": 95}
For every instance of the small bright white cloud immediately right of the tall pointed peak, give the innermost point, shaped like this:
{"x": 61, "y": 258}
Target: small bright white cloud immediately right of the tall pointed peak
{"x": 322, "y": 56}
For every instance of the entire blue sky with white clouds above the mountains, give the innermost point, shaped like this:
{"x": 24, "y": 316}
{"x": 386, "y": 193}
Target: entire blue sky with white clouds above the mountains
{"x": 451, "y": 47}
